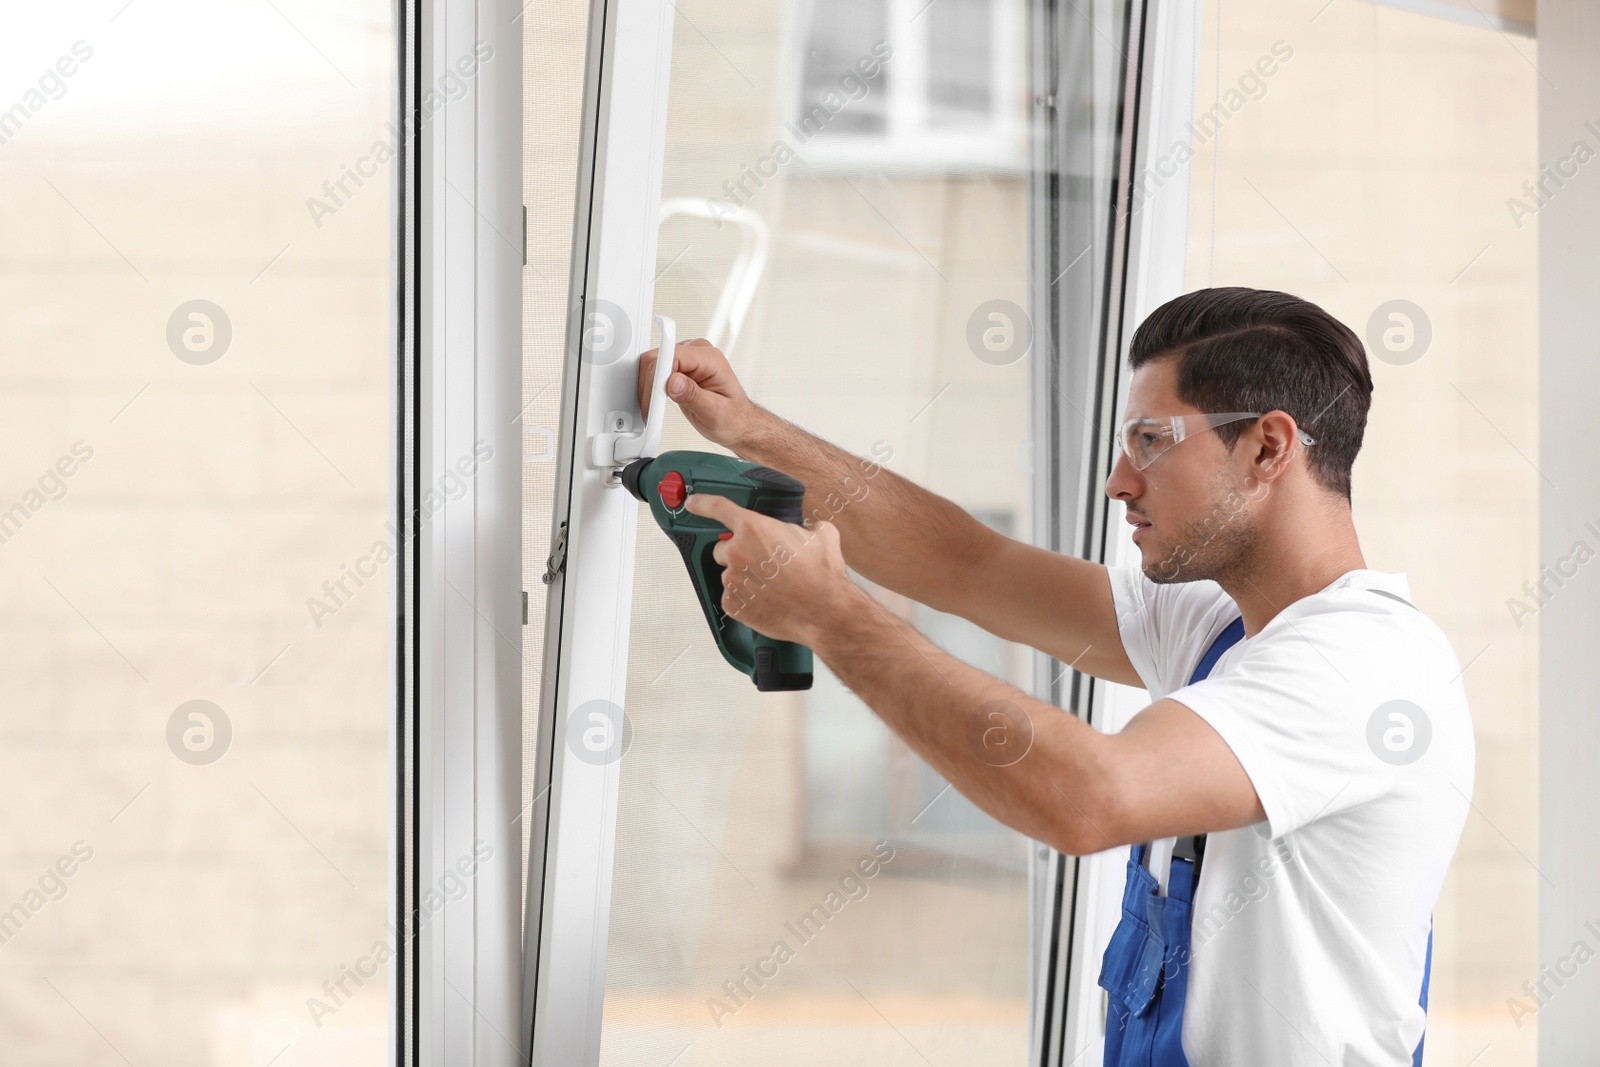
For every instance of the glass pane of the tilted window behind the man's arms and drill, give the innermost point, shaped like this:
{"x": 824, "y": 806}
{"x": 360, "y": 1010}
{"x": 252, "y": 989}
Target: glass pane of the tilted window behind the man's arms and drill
{"x": 745, "y": 818}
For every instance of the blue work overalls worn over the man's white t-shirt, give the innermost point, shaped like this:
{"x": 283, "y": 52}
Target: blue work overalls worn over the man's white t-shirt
{"x": 1146, "y": 965}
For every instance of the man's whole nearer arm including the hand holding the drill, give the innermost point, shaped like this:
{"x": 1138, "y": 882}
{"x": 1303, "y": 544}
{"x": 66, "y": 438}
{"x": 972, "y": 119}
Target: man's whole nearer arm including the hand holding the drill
{"x": 1025, "y": 762}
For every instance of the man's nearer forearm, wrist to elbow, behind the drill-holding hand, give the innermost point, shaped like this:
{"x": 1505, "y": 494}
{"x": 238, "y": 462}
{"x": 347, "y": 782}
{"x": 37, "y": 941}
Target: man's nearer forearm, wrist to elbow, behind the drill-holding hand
{"x": 1025, "y": 762}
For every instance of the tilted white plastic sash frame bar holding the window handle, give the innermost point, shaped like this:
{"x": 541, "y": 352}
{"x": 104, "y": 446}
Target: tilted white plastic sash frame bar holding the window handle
{"x": 588, "y": 610}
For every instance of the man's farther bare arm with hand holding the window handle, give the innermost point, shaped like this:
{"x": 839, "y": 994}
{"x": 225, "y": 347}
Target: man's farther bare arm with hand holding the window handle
{"x": 910, "y": 540}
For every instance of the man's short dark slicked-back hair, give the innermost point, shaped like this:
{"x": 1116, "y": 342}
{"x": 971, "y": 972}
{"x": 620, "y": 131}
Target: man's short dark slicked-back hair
{"x": 1263, "y": 351}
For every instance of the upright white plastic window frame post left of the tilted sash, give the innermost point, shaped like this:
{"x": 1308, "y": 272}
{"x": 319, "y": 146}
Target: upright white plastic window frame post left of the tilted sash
{"x": 455, "y": 924}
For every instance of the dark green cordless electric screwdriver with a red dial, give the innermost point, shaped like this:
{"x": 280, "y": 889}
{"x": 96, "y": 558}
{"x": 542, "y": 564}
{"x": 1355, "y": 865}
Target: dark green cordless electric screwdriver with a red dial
{"x": 665, "y": 482}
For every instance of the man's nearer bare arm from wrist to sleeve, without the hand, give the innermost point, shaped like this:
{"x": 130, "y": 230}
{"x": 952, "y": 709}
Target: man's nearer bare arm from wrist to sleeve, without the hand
{"x": 1030, "y": 765}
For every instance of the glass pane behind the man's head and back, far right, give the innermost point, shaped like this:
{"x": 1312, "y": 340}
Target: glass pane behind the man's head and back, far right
{"x": 1370, "y": 174}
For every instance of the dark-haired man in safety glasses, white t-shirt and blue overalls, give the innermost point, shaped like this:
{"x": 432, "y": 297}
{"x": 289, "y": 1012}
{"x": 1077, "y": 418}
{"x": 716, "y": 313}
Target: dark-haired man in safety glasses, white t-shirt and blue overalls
{"x": 1326, "y": 753}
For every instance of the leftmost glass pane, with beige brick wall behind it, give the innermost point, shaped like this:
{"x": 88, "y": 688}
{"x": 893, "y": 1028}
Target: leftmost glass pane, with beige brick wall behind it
{"x": 194, "y": 549}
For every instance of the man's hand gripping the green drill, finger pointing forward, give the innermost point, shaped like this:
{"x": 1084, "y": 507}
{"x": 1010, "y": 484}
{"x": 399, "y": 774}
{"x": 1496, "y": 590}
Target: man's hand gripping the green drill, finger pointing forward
{"x": 782, "y": 580}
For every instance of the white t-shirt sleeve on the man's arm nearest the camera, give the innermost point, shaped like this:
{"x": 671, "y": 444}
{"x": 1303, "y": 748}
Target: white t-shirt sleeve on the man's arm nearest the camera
{"x": 1295, "y": 711}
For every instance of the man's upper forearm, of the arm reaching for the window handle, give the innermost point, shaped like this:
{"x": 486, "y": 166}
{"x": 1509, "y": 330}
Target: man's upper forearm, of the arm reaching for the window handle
{"x": 892, "y": 530}
